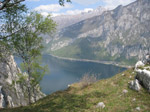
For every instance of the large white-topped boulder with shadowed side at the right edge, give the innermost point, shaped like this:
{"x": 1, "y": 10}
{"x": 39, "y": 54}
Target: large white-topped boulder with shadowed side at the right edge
{"x": 143, "y": 77}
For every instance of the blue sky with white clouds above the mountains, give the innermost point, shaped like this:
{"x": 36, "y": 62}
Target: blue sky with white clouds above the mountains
{"x": 46, "y": 7}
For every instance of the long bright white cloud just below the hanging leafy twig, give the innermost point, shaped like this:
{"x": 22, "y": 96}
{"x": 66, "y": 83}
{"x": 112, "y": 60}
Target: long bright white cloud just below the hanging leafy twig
{"x": 52, "y": 8}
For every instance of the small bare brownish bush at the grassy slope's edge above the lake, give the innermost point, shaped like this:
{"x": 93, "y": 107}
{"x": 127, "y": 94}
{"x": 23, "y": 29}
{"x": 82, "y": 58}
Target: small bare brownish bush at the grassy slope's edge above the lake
{"x": 87, "y": 80}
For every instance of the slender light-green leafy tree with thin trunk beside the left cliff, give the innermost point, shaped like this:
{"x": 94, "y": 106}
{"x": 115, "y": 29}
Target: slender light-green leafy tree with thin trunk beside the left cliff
{"x": 27, "y": 44}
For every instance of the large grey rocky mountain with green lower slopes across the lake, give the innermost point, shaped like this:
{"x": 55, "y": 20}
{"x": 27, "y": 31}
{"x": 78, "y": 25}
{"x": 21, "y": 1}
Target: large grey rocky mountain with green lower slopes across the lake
{"x": 120, "y": 35}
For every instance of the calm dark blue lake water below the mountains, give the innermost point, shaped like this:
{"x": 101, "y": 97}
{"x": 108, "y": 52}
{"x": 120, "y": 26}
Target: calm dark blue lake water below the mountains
{"x": 65, "y": 72}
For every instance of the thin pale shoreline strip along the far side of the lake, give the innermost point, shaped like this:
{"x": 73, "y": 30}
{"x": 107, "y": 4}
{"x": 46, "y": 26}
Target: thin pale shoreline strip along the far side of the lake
{"x": 94, "y": 61}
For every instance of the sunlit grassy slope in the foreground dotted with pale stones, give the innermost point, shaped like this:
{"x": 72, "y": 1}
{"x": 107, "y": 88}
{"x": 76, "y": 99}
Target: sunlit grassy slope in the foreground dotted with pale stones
{"x": 109, "y": 91}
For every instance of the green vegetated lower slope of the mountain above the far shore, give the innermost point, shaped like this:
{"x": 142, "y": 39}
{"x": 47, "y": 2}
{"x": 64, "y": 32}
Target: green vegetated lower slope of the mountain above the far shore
{"x": 88, "y": 48}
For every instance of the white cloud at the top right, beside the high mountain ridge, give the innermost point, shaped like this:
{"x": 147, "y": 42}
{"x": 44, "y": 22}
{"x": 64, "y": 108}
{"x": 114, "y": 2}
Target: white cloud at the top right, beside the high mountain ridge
{"x": 111, "y": 4}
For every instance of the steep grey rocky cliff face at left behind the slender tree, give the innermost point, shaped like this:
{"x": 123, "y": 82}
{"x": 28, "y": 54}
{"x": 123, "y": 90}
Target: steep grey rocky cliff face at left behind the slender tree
{"x": 11, "y": 93}
